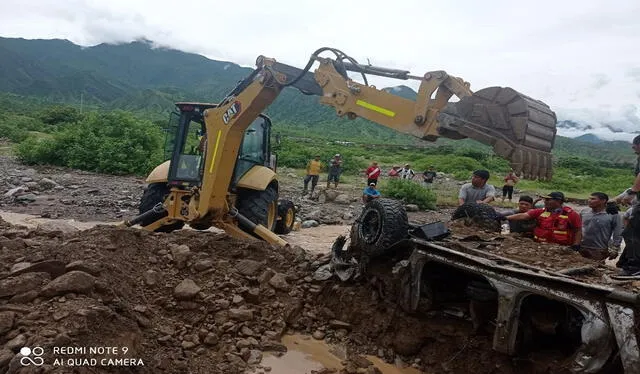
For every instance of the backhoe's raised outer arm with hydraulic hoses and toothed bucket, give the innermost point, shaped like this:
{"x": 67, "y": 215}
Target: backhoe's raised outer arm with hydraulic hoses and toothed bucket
{"x": 519, "y": 128}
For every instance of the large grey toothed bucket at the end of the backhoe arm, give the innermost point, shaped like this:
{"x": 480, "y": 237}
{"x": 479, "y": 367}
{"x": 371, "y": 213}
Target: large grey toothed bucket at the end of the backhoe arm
{"x": 518, "y": 128}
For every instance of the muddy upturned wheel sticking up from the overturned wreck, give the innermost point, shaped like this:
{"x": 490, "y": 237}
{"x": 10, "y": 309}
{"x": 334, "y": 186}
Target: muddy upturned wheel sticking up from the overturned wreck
{"x": 382, "y": 223}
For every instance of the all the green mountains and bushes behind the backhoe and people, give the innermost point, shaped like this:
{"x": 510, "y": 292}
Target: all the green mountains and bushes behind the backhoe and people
{"x": 66, "y": 105}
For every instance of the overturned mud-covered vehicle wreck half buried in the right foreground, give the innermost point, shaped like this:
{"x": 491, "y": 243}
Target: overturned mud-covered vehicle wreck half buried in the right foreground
{"x": 526, "y": 294}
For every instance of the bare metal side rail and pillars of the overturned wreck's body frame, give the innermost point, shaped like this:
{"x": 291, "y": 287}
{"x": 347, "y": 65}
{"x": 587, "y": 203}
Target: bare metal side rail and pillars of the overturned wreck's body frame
{"x": 610, "y": 314}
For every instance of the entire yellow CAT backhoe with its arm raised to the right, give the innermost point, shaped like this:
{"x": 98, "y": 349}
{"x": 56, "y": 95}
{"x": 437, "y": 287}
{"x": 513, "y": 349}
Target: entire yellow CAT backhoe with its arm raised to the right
{"x": 221, "y": 172}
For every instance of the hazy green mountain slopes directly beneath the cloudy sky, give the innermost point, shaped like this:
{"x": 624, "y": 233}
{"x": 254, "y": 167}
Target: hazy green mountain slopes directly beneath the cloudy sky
{"x": 147, "y": 81}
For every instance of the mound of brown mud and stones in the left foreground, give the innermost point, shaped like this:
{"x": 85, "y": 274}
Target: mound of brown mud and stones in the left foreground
{"x": 187, "y": 301}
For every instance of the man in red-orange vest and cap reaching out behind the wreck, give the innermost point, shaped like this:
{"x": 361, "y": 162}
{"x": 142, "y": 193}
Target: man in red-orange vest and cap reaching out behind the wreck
{"x": 555, "y": 223}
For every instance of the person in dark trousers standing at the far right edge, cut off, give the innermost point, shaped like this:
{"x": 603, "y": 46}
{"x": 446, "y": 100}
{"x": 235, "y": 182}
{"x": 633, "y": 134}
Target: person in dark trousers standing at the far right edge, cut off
{"x": 629, "y": 261}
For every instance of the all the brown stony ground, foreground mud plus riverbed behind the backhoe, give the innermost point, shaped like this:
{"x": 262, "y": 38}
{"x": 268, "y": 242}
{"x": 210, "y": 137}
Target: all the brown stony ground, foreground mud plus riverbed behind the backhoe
{"x": 196, "y": 302}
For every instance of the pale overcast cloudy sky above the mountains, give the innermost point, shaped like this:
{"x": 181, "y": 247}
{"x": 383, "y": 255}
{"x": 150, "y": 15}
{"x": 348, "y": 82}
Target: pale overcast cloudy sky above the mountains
{"x": 580, "y": 57}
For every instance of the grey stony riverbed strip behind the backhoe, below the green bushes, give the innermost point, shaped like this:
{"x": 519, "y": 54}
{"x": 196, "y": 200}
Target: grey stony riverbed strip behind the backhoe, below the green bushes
{"x": 55, "y": 192}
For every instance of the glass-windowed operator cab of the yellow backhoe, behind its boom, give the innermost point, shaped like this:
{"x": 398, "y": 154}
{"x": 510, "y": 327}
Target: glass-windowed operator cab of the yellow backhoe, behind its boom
{"x": 185, "y": 145}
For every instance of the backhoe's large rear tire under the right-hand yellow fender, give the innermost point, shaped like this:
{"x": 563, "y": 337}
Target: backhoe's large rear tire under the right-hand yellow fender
{"x": 260, "y": 207}
